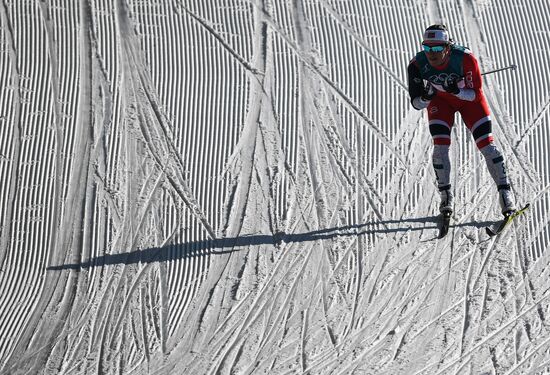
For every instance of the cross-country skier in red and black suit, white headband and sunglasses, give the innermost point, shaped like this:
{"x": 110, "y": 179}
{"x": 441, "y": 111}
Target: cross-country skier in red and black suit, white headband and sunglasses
{"x": 445, "y": 79}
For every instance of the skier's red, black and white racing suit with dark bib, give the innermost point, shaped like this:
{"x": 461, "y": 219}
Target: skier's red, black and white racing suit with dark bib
{"x": 469, "y": 102}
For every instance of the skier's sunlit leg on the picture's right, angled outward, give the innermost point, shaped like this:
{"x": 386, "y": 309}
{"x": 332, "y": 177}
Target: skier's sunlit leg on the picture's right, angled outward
{"x": 478, "y": 121}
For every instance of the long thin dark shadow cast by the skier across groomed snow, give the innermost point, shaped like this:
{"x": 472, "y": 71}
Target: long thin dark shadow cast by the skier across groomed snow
{"x": 232, "y": 244}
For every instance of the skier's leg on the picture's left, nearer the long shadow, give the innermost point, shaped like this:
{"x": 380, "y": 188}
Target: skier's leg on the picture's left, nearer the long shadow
{"x": 441, "y": 117}
